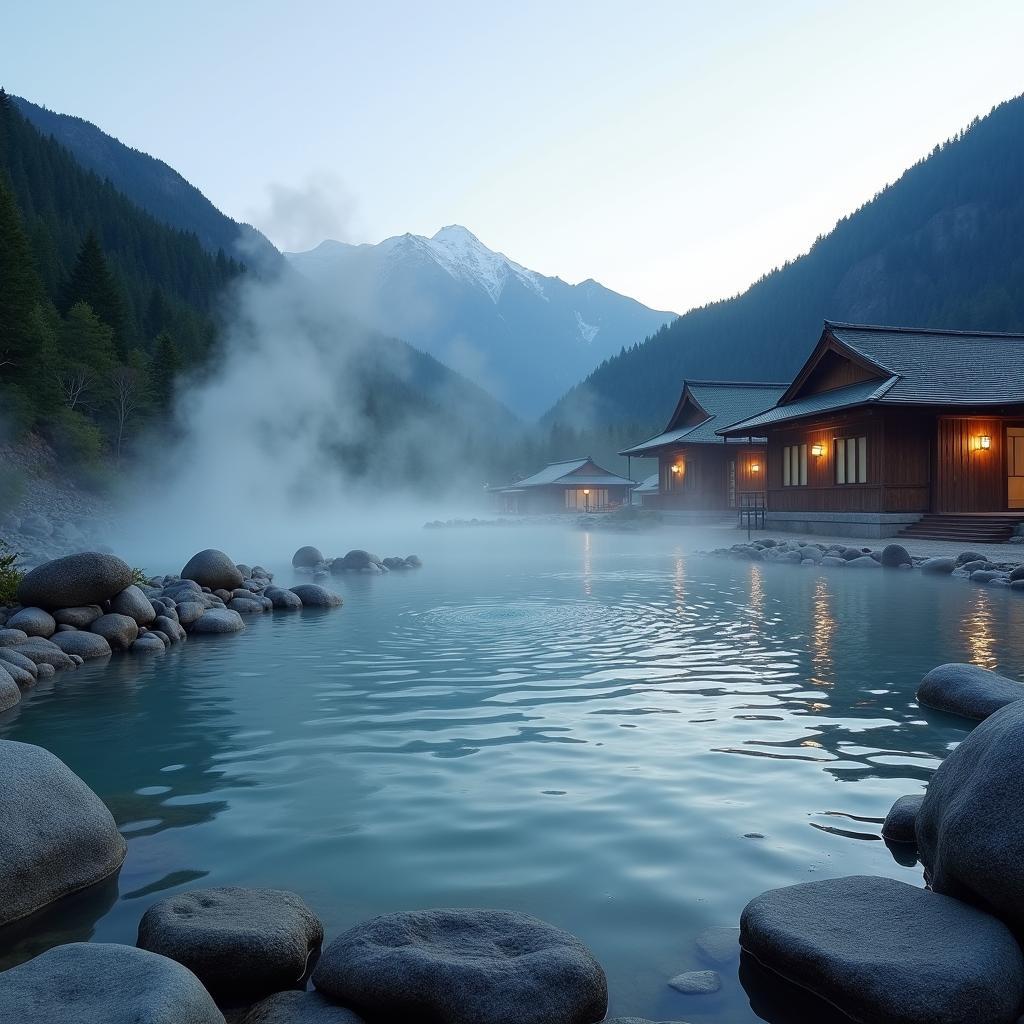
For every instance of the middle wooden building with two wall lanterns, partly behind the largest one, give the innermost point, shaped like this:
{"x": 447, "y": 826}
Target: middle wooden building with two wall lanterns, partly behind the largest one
{"x": 699, "y": 471}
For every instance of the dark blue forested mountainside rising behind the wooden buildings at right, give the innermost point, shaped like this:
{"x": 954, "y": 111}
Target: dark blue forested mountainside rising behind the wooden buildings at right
{"x": 940, "y": 248}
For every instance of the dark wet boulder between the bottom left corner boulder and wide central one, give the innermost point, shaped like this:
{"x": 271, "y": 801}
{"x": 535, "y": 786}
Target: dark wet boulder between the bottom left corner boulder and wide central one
{"x": 241, "y": 944}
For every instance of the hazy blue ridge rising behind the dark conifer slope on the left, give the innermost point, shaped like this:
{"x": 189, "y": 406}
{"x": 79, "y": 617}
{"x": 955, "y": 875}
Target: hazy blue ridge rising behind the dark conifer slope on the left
{"x": 154, "y": 186}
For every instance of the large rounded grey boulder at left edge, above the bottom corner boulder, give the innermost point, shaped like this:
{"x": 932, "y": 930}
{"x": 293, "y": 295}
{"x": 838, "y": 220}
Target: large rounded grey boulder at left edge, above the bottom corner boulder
{"x": 57, "y": 835}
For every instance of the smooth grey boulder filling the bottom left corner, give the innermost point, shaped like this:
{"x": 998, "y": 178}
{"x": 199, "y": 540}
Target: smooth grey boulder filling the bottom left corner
{"x": 103, "y": 984}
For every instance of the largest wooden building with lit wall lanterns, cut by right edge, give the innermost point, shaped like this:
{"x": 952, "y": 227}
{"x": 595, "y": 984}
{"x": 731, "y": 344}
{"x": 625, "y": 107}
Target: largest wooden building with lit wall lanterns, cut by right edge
{"x": 889, "y": 429}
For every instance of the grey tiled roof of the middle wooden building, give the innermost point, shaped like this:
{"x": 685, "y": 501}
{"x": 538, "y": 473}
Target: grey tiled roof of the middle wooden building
{"x": 705, "y": 407}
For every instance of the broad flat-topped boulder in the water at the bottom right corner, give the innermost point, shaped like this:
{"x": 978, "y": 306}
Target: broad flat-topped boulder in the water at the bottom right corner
{"x": 882, "y": 951}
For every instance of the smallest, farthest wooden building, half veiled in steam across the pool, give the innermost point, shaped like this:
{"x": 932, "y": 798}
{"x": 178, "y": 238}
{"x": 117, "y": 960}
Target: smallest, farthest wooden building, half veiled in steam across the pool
{"x": 577, "y": 486}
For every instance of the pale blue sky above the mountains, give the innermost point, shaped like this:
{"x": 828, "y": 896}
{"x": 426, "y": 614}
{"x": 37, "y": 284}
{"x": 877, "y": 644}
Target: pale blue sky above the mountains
{"x": 674, "y": 152}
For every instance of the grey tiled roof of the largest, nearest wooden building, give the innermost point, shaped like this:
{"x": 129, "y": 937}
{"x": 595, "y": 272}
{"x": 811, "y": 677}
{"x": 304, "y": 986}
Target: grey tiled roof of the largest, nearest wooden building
{"x": 905, "y": 367}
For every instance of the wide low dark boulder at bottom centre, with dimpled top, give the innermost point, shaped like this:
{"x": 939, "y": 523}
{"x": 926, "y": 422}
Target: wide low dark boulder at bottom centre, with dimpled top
{"x": 464, "y": 967}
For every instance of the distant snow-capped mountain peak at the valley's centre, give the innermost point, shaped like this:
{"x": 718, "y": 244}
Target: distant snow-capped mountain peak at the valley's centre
{"x": 523, "y": 336}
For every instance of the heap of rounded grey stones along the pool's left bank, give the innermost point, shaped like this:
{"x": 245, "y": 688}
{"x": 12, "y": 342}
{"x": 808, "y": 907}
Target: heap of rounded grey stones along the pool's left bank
{"x": 88, "y": 606}
